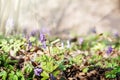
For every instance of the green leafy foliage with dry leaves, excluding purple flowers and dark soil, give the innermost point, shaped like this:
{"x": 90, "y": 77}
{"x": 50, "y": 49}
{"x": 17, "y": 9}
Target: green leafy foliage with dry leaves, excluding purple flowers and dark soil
{"x": 17, "y": 51}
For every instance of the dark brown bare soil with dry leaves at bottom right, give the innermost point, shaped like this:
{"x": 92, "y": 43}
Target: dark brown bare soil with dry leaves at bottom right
{"x": 94, "y": 73}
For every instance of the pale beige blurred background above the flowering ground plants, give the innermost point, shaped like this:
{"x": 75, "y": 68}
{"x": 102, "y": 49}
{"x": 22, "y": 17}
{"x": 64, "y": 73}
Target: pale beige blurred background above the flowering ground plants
{"x": 59, "y": 17}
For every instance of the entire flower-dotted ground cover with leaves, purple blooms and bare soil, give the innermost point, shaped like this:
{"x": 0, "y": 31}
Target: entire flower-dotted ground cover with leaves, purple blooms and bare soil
{"x": 40, "y": 57}
